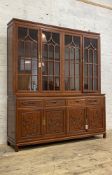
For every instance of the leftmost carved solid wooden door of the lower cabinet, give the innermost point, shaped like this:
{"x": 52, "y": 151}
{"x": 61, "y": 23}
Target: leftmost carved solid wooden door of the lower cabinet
{"x": 29, "y": 124}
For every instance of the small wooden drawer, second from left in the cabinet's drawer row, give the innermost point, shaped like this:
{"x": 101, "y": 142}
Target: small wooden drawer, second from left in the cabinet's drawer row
{"x": 55, "y": 102}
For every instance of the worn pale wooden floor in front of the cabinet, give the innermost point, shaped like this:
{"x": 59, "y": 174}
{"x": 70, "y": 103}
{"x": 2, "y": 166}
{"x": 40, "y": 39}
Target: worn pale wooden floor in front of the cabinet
{"x": 91, "y": 156}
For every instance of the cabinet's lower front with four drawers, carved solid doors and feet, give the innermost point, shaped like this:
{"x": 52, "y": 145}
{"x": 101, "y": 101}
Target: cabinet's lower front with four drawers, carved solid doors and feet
{"x": 65, "y": 119}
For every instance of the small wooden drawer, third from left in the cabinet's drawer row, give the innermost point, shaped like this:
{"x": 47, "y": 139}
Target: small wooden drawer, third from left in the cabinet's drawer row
{"x": 77, "y": 101}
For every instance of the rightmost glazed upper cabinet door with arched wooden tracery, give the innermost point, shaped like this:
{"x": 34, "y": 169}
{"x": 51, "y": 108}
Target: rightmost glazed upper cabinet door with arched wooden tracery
{"x": 91, "y": 65}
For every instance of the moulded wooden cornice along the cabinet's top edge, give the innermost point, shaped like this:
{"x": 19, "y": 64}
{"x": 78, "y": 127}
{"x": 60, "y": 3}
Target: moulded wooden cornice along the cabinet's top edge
{"x": 27, "y": 22}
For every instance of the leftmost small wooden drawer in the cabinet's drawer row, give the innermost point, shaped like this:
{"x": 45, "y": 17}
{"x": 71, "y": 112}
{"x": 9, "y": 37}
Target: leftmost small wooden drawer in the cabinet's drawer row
{"x": 29, "y": 103}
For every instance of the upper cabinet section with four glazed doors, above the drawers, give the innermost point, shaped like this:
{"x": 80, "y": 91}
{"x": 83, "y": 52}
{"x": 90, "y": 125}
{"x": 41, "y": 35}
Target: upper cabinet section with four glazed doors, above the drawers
{"x": 52, "y": 60}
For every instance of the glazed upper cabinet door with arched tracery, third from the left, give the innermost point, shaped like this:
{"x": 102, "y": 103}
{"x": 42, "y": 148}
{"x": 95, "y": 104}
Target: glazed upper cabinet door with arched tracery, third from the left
{"x": 72, "y": 62}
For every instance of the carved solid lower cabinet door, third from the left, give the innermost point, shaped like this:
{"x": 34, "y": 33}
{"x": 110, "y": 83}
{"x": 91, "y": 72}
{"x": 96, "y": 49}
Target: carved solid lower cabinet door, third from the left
{"x": 76, "y": 120}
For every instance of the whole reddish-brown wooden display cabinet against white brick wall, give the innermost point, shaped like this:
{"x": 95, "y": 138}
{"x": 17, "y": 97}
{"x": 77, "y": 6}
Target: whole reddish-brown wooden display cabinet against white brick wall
{"x": 54, "y": 84}
